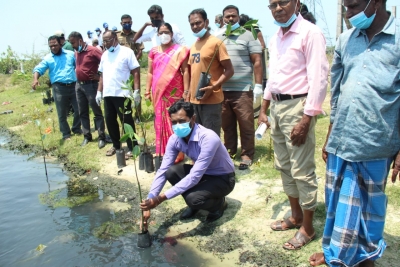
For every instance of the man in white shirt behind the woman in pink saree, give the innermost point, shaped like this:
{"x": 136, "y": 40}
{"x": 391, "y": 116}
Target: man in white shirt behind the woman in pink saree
{"x": 157, "y": 17}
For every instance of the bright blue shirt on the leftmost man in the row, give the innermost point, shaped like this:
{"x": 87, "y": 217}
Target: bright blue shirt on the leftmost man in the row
{"x": 61, "y": 68}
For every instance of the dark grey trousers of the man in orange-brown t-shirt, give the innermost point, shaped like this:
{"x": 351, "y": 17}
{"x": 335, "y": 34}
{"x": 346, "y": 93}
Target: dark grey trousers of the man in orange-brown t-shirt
{"x": 209, "y": 115}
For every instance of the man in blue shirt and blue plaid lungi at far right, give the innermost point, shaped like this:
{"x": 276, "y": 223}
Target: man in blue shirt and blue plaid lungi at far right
{"x": 363, "y": 138}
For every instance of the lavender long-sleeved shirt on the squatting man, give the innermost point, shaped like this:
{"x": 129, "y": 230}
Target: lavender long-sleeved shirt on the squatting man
{"x": 205, "y": 149}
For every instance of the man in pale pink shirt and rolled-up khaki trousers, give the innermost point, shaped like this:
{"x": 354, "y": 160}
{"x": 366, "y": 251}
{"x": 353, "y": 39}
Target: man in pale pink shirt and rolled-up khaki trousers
{"x": 295, "y": 91}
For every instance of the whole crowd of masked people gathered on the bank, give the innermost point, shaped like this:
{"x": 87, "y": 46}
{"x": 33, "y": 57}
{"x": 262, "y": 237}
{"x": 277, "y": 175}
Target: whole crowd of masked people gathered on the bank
{"x": 212, "y": 85}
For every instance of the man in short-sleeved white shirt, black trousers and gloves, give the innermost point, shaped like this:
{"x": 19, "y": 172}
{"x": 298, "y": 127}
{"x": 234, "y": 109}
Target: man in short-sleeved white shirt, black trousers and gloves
{"x": 116, "y": 65}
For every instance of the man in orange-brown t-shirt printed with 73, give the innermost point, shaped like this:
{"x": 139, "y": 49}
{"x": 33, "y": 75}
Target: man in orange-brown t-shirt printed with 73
{"x": 208, "y": 56}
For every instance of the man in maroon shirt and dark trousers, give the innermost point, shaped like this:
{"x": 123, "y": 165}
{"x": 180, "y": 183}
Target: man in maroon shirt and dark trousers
{"x": 87, "y": 64}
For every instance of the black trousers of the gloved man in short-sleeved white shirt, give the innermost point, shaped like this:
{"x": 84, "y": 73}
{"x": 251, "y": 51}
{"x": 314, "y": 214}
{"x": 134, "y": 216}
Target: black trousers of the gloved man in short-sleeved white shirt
{"x": 111, "y": 111}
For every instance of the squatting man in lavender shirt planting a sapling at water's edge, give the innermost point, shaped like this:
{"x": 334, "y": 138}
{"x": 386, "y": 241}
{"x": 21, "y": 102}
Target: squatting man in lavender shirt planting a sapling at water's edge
{"x": 203, "y": 185}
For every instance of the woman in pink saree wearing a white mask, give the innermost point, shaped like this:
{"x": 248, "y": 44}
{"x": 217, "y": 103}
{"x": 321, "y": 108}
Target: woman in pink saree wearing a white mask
{"x": 167, "y": 82}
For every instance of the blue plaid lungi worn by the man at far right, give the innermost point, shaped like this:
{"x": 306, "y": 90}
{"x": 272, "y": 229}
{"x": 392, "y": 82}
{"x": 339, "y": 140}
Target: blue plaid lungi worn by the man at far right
{"x": 356, "y": 209}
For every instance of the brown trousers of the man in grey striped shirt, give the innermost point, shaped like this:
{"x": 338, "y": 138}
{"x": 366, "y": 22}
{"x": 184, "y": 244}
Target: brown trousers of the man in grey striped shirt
{"x": 237, "y": 108}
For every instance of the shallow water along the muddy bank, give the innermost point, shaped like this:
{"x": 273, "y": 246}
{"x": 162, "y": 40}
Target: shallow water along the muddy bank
{"x": 66, "y": 232}
